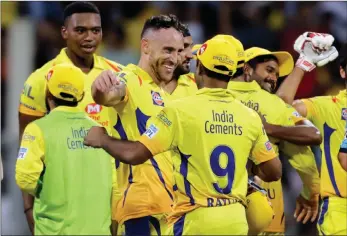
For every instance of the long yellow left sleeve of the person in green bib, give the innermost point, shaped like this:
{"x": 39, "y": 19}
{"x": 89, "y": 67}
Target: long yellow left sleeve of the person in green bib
{"x": 30, "y": 159}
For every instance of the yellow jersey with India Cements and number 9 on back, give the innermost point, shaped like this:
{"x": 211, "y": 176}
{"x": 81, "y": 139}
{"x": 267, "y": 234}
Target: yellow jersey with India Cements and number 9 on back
{"x": 213, "y": 135}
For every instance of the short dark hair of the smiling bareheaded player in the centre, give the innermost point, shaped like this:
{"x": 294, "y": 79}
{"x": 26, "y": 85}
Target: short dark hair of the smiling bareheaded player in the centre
{"x": 161, "y": 22}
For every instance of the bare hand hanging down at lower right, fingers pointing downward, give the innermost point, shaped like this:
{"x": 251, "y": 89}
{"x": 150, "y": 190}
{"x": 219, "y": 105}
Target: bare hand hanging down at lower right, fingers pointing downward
{"x": 306, "y": 209}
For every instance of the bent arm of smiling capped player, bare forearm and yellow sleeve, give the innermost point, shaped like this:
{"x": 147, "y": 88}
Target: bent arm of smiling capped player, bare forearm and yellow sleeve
{"x": 303, "y": 133}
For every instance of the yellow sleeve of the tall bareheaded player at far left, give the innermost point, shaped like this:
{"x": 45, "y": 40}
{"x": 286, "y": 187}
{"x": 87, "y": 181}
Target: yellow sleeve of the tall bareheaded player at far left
{"x": 32, "y": 99}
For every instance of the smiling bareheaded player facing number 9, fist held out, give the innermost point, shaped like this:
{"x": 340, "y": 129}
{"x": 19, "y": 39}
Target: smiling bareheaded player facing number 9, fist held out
{"x": 137, "y": 93}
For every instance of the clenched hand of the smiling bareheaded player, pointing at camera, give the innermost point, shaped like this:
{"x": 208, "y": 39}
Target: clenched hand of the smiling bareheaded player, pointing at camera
{"x": 107, "y": 81}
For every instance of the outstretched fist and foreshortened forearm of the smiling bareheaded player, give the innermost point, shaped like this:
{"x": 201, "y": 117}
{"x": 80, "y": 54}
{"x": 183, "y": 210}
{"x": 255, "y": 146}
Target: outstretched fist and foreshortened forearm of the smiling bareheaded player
{"x": 108, "y": 89}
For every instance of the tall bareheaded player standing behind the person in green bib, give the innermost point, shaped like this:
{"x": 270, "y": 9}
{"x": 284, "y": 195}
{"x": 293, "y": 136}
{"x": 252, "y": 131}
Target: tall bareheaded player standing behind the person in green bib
{"x": 83, "y": 33}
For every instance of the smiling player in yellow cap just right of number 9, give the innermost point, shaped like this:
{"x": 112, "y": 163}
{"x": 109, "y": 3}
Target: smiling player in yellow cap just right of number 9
{"x": 254, "y": 87}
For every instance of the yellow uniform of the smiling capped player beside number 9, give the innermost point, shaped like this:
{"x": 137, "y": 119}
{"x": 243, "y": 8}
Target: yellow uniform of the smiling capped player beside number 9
{"x": 300, "y": 157}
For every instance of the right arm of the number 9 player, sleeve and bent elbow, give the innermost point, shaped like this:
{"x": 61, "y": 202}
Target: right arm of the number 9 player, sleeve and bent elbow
{"x": 267, "y": 166}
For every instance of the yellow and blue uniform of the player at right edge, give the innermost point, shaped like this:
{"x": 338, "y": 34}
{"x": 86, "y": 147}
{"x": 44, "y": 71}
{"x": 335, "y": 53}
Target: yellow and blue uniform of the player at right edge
{"x": 329, "y": 114}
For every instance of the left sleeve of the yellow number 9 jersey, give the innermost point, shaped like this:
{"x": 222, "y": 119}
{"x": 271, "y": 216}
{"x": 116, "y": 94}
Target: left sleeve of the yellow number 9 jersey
{"x": 161, "y": 133}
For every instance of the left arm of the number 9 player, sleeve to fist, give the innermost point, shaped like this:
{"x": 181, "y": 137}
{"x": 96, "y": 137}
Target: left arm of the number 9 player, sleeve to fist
{"x": 158, "y": 138}
